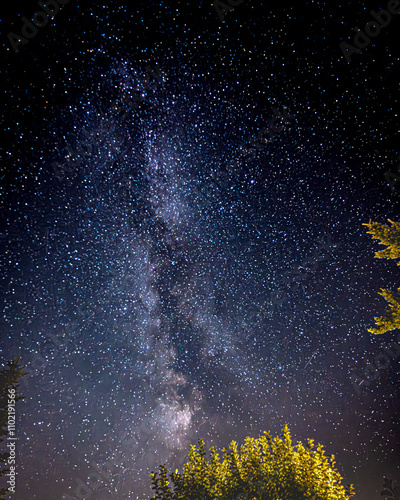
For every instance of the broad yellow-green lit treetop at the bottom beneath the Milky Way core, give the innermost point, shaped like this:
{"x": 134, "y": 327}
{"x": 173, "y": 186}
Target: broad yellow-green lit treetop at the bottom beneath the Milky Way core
{"x": 264, "y": 469}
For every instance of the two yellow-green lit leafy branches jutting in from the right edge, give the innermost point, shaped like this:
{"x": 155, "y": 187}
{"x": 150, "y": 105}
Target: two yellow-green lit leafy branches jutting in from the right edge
{"x": 389, "y": 236}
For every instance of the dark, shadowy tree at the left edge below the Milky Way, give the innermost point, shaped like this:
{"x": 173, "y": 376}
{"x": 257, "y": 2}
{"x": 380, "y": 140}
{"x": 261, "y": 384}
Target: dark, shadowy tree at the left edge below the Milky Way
{"x": 8, "y": 391}
